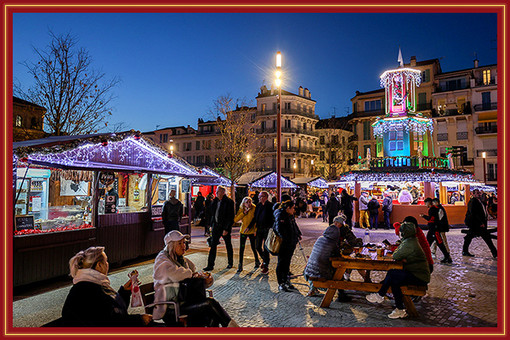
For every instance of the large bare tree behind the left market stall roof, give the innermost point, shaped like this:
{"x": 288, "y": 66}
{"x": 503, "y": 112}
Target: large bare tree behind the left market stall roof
{"x": 77, "y": 98}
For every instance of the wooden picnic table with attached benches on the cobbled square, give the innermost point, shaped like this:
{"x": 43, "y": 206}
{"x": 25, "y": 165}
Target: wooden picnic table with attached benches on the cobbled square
{"x": 380, "y": 264}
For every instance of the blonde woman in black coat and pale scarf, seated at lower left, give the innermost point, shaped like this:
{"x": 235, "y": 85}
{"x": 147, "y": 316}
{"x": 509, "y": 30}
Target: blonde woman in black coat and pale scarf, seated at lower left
{"x": 92, "y": 302}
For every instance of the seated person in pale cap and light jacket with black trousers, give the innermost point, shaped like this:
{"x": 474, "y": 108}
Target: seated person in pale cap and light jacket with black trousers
{"x": 171, "y": 266}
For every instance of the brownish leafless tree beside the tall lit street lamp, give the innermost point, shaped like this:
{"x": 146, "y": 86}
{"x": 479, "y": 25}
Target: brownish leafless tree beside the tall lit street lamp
{"x": 238, "y": 137}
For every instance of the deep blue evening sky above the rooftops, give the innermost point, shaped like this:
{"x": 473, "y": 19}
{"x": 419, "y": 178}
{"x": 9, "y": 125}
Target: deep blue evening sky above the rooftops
{"x": 173, "y": 66}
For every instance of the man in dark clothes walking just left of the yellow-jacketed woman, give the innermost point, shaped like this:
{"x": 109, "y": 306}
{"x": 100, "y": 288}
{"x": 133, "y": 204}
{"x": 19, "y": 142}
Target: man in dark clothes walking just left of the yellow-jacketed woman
{"x": 222, "y": 220}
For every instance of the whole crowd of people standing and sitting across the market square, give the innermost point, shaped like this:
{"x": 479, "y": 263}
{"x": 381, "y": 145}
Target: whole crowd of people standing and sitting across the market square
{"x": 93, "y": 302}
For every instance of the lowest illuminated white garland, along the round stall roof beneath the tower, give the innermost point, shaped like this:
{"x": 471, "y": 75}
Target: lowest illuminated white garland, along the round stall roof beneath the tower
{"x": 422, "y": 175}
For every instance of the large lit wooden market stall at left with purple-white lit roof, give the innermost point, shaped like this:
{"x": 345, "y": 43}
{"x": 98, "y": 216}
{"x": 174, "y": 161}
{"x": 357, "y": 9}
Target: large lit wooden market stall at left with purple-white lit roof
{"x": 72, "y": 192}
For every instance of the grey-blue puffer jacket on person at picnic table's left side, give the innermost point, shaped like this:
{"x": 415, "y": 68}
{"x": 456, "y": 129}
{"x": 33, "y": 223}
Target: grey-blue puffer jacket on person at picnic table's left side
{"x": 325, "y": 247}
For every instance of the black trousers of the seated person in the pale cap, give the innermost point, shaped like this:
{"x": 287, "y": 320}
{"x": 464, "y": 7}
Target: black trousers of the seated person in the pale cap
{"x": 205, "y": 314}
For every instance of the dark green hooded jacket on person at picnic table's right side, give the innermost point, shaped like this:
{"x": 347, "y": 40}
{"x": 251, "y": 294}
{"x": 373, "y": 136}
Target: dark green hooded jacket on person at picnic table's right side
{"x": 411, "y": 251}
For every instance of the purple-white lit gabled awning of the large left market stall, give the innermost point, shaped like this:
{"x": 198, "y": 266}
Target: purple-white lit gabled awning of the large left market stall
{"x": 122, "y": 152}
